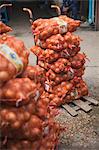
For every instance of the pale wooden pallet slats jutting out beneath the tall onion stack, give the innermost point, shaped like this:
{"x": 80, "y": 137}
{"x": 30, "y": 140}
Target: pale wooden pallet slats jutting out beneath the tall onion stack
{"x": 80, "y": 104}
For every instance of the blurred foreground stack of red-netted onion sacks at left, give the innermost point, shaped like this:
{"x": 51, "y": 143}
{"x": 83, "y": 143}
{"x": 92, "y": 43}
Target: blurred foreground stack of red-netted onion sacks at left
{"x": 25, "y": 120}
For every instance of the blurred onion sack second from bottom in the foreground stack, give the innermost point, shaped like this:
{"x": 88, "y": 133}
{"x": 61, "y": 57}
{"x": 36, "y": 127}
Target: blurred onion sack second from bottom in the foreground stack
{"x": 26, "y": 126}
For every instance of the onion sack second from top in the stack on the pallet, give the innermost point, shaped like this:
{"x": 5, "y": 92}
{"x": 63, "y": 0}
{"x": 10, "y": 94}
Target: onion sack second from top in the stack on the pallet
{"x": 58, "y": 42}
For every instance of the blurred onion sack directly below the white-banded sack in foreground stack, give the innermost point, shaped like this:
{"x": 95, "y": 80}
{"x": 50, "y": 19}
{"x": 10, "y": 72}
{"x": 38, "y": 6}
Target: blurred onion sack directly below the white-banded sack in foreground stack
{"x": 18, "y": 91}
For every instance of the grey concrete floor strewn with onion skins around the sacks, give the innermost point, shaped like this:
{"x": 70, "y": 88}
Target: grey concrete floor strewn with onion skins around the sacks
{"x": 83, "y": 130}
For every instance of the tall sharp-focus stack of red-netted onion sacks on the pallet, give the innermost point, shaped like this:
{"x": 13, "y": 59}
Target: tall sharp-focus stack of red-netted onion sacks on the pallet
{"x": 58, "y": 54}
